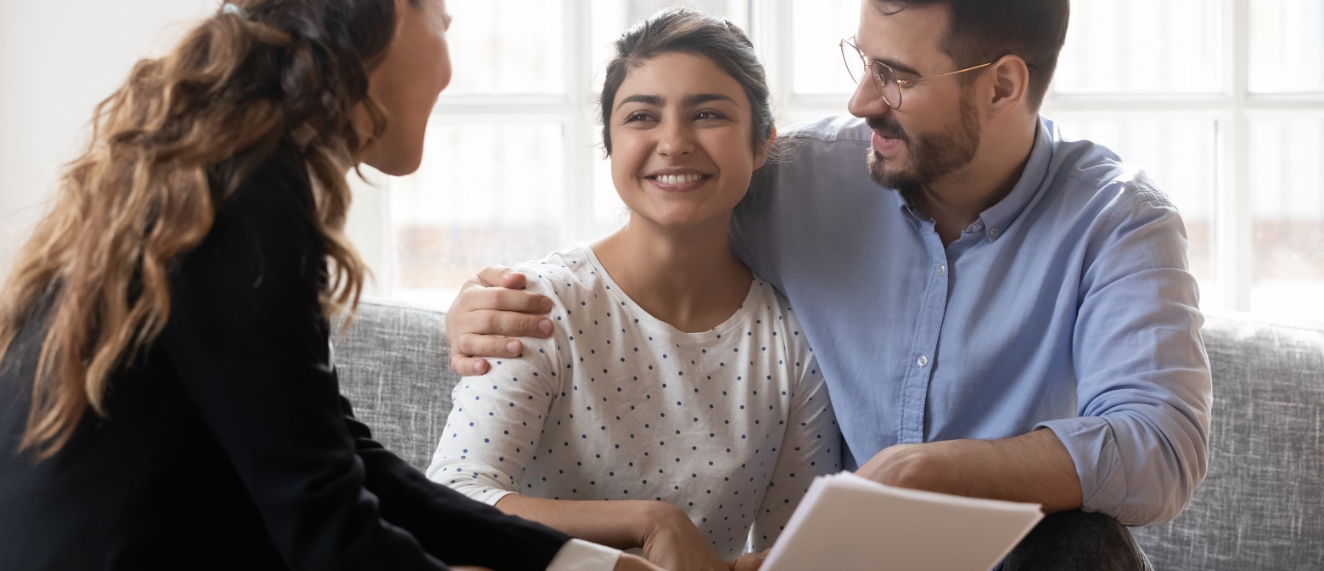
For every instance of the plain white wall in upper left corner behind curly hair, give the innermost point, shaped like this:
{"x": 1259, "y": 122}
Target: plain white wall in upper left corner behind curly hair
{"x": 59, "y": 59}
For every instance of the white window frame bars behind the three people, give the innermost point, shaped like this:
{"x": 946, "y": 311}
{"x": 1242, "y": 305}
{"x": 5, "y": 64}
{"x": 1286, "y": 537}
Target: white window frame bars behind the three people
{"x": 1232, "y": 111}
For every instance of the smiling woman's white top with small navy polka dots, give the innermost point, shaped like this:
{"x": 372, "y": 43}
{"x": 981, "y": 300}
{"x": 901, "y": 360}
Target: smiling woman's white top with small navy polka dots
{"x": 730, "y": 425}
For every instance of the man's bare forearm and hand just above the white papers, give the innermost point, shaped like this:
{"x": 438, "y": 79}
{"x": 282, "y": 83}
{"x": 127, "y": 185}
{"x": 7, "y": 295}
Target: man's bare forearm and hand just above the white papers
{"x": 1032, "y": 468}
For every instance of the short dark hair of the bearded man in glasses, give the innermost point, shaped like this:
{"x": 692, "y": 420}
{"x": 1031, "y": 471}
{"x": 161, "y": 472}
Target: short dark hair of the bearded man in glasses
{"x": 983, "y": 31}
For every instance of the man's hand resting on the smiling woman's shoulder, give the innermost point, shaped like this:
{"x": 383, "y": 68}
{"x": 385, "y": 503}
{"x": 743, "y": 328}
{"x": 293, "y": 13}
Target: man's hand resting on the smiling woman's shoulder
{"x": 491, "y": 312}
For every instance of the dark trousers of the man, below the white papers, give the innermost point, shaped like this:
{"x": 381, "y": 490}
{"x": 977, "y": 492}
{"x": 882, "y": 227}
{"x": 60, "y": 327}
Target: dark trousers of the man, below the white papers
{"x": 1078, "y": 541}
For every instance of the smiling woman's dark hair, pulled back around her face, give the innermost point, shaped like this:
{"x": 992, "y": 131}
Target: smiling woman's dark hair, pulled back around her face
{"x": 689, "y": 31}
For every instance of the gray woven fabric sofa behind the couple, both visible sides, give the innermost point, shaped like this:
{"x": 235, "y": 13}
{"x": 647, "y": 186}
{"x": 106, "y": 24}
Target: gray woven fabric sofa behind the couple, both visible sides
{"x": 1260, "y": 508}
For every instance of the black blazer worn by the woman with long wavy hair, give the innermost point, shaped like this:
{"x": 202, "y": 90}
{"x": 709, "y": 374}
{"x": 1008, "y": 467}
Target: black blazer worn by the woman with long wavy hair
{"x": 228, "y": 444}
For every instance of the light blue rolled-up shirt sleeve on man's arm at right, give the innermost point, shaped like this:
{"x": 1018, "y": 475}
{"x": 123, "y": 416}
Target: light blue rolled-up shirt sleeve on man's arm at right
{"x": 1143, "y": 381}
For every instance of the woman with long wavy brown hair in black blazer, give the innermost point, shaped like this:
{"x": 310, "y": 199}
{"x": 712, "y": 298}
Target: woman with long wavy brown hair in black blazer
{"x": 167, "y": 398}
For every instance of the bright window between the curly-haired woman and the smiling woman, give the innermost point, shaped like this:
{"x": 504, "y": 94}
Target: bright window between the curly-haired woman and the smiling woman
{"x": 513, "y": 166}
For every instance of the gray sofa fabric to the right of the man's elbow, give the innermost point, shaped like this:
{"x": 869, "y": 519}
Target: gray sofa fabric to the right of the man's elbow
{"x": 1262, "y": 503}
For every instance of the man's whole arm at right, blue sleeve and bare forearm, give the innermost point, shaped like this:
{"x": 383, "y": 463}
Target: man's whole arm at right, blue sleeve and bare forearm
{"x": 1138, "y": 448}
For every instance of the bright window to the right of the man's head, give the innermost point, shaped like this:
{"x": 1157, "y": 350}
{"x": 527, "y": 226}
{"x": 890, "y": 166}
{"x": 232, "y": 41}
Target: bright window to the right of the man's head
{"x": 1221, "y": 101}
